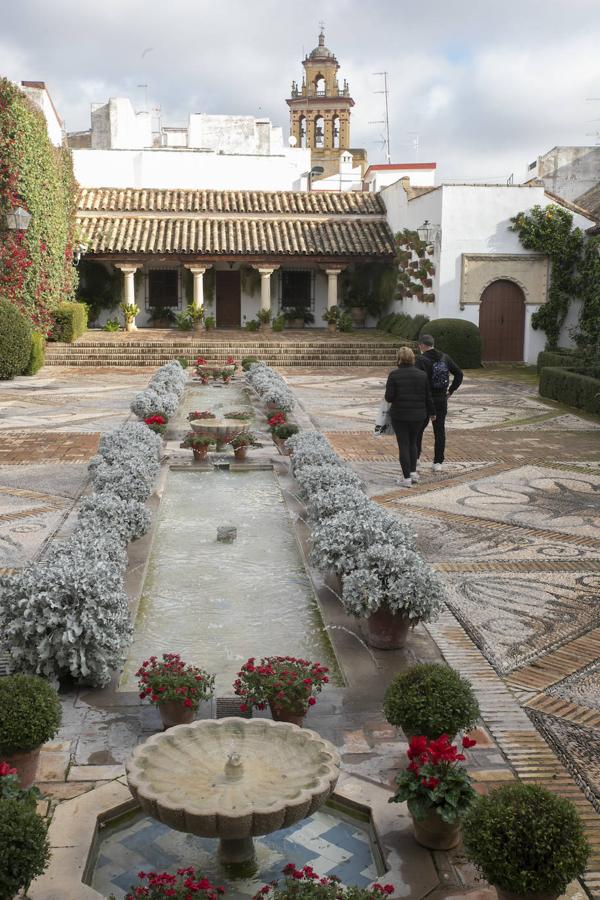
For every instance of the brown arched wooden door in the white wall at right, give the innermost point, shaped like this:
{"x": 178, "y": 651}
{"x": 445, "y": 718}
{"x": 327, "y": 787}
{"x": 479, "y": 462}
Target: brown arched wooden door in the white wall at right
{"x": 502, "y": 322}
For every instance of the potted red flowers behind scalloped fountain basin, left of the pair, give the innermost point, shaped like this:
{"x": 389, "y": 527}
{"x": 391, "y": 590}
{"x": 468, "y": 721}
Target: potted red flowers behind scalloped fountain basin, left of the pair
{"x": 176, "y": 688}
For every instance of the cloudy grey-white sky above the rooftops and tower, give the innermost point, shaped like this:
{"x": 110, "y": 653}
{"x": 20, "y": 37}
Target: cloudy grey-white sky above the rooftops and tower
{"x": 480, "y": 88}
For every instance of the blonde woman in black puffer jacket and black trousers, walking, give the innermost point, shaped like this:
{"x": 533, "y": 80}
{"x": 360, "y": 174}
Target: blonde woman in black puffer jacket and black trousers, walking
{"x": 408, "y": 391}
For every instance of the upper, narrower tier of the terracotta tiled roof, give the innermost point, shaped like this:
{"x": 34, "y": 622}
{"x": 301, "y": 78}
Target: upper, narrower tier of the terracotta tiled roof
{"x": 124, "y": 200}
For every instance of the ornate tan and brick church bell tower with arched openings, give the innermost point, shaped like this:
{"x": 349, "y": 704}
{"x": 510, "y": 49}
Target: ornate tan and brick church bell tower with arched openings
{"x": 320, "y": 110}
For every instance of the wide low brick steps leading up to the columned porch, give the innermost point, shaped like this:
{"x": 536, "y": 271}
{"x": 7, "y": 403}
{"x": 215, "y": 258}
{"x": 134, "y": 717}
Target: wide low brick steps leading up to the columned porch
{"x": 314, "y": 354}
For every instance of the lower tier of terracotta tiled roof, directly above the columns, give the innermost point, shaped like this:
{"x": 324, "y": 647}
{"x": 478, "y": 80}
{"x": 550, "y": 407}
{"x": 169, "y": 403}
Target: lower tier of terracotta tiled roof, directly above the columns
{"x": 237, "y": 237}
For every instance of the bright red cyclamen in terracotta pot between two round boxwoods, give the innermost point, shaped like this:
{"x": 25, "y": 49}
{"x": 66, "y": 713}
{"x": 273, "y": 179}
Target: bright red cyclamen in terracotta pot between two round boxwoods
{"x": 436, "y": 789}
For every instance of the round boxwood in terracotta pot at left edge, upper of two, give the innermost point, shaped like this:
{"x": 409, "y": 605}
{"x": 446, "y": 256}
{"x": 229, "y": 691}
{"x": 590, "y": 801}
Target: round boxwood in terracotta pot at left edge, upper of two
{"x": 29, "y": 716}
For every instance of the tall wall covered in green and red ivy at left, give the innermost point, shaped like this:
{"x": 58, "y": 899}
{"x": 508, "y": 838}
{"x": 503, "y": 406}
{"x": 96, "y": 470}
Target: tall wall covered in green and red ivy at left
{"x": 36, "y": 266}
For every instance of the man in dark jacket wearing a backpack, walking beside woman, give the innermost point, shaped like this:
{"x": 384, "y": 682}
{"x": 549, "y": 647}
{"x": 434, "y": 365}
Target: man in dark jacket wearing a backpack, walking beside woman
{"x": 438, "y": 367}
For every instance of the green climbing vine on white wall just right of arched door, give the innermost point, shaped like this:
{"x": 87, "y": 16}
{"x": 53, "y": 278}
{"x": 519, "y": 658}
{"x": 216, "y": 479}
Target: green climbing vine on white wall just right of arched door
{"x": 550, "y": 230}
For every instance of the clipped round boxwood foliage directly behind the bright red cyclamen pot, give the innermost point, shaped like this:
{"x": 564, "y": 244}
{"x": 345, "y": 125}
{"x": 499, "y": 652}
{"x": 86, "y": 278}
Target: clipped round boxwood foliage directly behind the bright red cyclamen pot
{"x": 431, "y": 699}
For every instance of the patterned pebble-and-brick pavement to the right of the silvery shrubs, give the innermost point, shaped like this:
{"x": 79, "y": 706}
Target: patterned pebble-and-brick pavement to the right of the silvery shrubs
{"x": 518, "y": 496}
